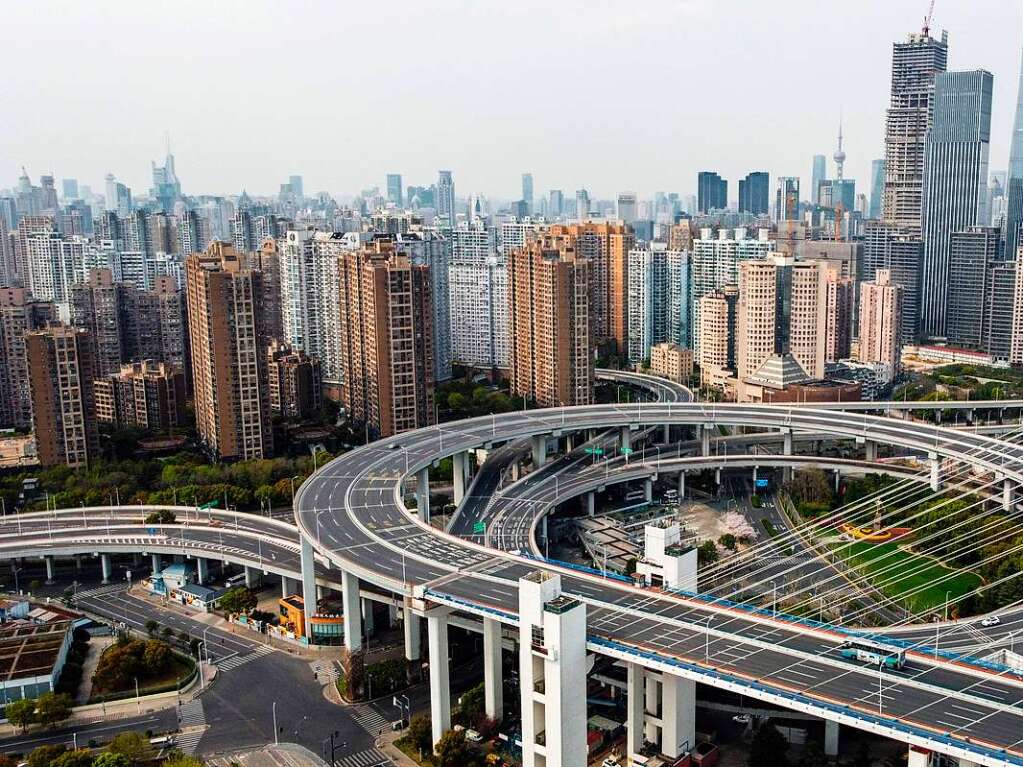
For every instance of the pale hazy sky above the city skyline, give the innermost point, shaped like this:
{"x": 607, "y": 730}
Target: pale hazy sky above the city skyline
{"x": 612, "y": 97}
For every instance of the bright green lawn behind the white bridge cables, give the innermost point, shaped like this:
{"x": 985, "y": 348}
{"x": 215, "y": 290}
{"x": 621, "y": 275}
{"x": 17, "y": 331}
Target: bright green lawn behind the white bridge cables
{"x": 918, "y": 582}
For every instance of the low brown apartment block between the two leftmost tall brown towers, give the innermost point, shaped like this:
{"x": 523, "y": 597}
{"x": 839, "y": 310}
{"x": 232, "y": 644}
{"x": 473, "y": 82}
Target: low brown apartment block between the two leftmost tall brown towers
{"x": 144, "y": 395}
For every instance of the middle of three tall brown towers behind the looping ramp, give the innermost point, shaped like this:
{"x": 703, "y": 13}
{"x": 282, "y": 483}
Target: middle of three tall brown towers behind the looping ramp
{"x": 387, "y": 339}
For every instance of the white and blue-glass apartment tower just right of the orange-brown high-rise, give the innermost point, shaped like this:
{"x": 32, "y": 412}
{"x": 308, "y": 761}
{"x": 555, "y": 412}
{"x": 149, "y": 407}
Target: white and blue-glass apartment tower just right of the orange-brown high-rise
{"x": 658, "y": 299}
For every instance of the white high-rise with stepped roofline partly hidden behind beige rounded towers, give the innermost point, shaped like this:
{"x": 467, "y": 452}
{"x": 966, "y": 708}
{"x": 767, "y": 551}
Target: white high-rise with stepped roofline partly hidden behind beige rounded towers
{"x": 716, "y": 263}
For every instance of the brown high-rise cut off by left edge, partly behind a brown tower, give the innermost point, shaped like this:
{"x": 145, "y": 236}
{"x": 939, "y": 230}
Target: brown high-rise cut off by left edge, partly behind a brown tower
{"x": 20, "y": 314}
